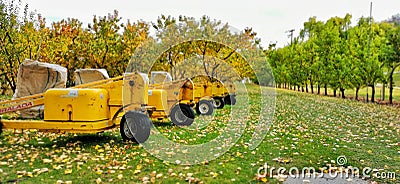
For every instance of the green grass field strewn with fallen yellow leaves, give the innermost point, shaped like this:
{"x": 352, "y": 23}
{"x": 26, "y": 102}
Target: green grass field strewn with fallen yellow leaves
{"x": 308, "y": 131}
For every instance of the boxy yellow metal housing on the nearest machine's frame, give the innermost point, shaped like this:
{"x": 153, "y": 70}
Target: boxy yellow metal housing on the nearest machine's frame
{"x": 76, "y": 105}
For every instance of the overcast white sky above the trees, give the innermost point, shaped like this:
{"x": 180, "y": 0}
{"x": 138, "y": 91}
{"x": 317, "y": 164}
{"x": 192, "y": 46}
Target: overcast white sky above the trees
{"x": 269, "y": 18}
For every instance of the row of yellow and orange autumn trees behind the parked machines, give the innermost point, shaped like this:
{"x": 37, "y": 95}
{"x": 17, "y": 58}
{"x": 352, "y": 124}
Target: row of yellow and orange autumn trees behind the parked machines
{"x": 108, "y": 43}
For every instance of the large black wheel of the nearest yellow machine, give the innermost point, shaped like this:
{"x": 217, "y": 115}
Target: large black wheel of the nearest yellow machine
{"x": 135, "y": 126}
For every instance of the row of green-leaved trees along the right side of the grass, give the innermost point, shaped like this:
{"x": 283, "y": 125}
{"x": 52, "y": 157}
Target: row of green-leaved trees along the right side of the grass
{"x": 333, "y": 54}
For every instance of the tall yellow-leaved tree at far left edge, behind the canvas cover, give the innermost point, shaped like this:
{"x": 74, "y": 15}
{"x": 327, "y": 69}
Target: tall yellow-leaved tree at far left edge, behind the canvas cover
{"x": 19, "y": 39}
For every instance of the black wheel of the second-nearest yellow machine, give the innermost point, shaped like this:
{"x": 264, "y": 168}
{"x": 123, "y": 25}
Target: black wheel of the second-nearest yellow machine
{"x": 182, "y": 115}
